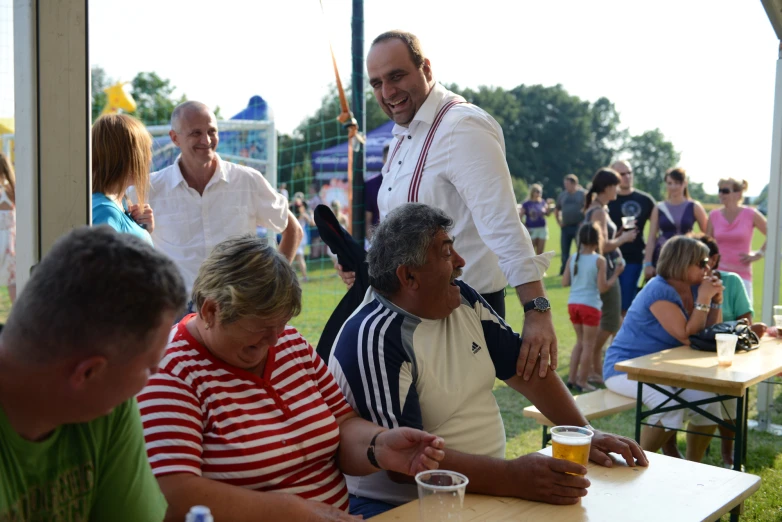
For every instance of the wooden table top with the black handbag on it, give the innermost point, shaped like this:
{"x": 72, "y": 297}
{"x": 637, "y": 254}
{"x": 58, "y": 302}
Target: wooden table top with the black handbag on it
{"x": 684, "y": 367}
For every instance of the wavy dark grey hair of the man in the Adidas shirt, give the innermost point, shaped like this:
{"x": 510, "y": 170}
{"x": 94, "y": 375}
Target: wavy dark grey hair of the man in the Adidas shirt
{"x": 403, "y": 238}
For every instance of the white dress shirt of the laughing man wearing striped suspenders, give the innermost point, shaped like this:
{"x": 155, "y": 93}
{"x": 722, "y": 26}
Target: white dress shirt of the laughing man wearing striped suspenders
{"x": 467, "y": 177}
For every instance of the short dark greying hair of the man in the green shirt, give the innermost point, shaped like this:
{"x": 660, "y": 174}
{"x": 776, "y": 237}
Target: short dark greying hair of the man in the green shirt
{"x": 97, "y": 292}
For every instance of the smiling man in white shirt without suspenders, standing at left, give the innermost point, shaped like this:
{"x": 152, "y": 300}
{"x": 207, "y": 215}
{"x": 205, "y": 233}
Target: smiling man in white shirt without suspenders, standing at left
{"x": 201, "y": 200}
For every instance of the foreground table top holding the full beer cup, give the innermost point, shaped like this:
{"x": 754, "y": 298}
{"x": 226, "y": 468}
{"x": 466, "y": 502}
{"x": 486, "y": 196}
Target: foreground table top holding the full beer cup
{"x": 669, "y": 489}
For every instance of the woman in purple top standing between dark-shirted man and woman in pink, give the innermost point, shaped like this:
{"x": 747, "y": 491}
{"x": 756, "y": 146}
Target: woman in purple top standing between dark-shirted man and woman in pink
{"x": 675, "y": 216}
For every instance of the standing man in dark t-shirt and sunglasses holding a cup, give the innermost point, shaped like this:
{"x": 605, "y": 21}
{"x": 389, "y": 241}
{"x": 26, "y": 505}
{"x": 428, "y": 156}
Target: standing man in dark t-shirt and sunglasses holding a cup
{"x": 630, "y": 203}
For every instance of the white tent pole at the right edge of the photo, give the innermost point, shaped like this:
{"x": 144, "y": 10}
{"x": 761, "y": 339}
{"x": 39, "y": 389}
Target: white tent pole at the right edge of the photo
{"x": 771, "y": 275}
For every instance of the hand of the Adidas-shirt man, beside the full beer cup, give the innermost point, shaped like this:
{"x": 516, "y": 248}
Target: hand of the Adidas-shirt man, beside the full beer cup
{"x": 542, "y": 478}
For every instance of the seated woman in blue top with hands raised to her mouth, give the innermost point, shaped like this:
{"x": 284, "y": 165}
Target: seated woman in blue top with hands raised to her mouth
{"x": 663, "y": 315}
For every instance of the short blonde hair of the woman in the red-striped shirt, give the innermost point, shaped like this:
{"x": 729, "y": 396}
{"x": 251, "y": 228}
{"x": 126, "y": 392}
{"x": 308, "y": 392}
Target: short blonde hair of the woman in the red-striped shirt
{"x": 247, "y": 277}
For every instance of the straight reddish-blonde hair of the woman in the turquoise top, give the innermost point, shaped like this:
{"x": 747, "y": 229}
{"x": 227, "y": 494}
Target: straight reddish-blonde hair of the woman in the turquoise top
{"x": 121, "y": 155}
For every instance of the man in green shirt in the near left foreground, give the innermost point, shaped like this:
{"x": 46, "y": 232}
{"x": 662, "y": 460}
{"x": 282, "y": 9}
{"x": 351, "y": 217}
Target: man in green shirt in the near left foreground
{"x": 82, "y": 339}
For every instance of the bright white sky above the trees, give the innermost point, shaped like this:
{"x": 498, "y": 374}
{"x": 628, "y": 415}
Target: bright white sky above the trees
{"x": 702, "y": 72}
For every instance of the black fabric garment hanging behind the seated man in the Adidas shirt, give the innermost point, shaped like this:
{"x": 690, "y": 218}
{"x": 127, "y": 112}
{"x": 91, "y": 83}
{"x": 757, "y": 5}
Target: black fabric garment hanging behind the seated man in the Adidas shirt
{"x": 352, "y": 257}
